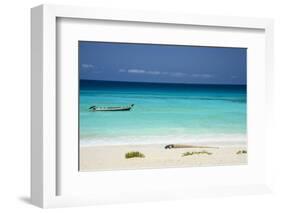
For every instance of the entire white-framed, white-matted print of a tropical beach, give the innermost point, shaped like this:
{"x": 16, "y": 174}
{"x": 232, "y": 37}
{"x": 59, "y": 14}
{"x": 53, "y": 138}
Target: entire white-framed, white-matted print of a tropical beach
{"x": 166, "y": 105}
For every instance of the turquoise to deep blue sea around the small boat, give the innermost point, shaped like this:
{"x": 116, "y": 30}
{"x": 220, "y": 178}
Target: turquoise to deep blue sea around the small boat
{"x": 162, "y": 113}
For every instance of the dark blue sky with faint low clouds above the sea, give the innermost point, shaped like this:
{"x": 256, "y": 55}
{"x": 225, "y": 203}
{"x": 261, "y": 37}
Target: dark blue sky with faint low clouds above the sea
{"x": 162, "y": 63}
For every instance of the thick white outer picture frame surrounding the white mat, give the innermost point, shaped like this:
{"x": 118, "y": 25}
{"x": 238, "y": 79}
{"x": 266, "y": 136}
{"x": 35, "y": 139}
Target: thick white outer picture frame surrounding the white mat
{"x": 45, "y": 168}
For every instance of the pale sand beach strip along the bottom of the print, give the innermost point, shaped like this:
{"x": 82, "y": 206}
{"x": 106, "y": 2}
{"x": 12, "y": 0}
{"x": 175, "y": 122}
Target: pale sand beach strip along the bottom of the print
{"x": 99, "y": 158}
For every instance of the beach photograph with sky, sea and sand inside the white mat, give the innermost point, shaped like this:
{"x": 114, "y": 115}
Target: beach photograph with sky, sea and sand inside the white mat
{"x": 149, "y": 106}
